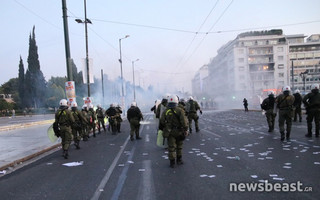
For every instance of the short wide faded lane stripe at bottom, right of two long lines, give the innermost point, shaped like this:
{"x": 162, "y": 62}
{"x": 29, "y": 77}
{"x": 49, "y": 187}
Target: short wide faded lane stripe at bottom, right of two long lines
{"x": 146, "y": 187}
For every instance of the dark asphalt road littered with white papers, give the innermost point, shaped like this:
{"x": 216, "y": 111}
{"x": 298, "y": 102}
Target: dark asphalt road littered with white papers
{"x": 112, "y": 167}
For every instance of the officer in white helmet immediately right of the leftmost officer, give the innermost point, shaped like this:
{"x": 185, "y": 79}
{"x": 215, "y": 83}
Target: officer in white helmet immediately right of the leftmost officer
{"x": 79, "y": 121}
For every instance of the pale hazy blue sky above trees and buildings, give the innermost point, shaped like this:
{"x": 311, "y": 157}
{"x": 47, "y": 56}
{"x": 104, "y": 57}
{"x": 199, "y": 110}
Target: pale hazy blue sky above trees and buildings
{"x": 171, "y": 38}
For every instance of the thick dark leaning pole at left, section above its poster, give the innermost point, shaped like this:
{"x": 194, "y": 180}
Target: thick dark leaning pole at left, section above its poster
{"x": 66, "y": 40}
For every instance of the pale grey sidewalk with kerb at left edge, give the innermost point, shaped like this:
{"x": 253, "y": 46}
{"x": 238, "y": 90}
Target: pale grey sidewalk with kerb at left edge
{"x": 21, "y": 142}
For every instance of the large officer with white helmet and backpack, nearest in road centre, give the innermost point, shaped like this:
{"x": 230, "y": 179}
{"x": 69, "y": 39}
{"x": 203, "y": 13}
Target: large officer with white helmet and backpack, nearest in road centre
{"x": 174, "y": 126}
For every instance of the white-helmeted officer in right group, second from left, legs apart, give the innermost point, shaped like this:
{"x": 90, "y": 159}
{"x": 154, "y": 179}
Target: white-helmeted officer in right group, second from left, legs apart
{"x": 285, "y": 105}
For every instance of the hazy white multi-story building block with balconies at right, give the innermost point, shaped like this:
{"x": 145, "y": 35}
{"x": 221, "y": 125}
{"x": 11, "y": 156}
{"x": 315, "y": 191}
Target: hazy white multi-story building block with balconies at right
{"x": 256, "y": 62}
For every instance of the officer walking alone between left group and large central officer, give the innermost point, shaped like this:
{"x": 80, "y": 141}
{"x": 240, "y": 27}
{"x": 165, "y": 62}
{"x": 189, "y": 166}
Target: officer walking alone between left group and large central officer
{"x": 134, "y": 117}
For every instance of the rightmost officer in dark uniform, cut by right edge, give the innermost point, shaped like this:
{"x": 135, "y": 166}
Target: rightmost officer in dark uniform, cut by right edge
{"x": 312, "y": 103}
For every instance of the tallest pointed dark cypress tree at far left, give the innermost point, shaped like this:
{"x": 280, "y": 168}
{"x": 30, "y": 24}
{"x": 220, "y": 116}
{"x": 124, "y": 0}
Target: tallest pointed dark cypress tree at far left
{"x": 35, "y": 84}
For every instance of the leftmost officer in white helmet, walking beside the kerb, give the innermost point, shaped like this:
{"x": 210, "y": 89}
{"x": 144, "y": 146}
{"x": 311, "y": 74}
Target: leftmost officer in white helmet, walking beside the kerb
{"x": 65, "y": 120}
